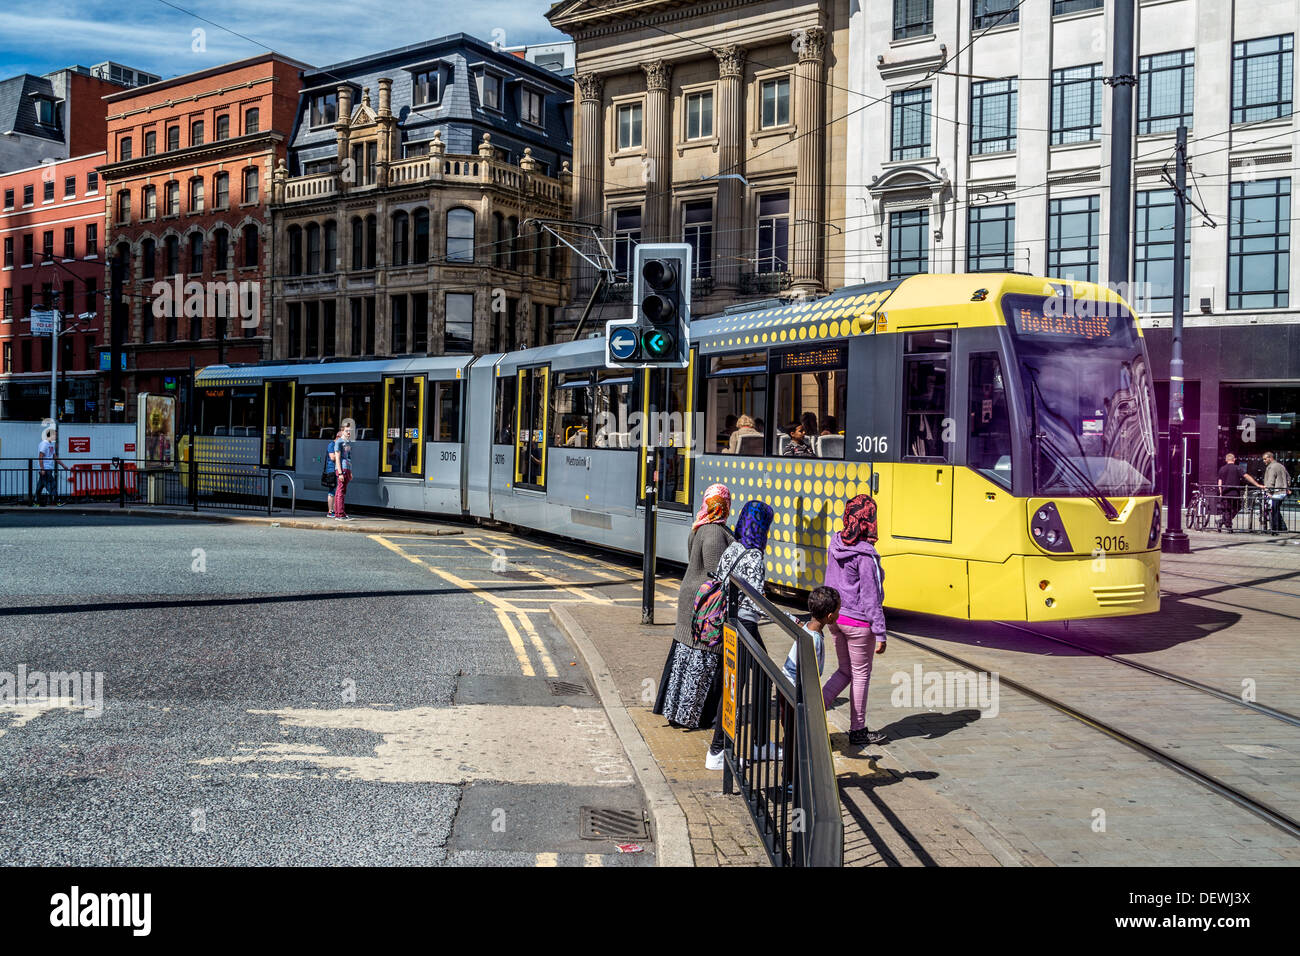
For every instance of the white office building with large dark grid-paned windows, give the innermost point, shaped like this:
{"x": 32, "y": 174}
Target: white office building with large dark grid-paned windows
{"x": 981, "y": 141}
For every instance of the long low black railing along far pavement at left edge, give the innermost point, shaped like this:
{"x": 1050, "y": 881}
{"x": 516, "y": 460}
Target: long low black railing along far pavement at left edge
{"x": 129, "y": 485}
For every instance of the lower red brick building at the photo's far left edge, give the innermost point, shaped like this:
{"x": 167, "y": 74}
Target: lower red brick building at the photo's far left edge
{"x": 51, "y": 231}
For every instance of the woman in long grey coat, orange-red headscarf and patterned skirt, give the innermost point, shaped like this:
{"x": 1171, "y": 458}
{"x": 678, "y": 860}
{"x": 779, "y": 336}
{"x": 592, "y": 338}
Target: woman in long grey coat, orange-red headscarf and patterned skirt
{"x": 688, "y": 694}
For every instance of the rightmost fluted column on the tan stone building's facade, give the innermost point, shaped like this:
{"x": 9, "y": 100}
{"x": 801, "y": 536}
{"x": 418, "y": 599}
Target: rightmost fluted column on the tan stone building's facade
{"x": 811, "y": 178}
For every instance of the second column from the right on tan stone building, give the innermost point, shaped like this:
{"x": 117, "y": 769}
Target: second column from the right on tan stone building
{"x": 730, "y": 119}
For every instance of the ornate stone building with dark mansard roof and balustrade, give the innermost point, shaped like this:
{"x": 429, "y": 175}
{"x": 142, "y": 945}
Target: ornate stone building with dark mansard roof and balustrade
{"x": 400, "y": 215}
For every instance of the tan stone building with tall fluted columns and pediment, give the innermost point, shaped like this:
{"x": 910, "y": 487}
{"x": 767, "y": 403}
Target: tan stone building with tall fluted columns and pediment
{"x": 714, "y": 124}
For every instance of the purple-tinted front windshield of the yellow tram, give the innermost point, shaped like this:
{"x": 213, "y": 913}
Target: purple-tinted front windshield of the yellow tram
{"x": 1089, "y": 395}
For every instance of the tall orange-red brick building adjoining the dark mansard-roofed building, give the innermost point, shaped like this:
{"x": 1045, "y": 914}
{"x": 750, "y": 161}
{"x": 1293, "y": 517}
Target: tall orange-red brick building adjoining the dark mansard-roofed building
{"x": 187, "y": 192}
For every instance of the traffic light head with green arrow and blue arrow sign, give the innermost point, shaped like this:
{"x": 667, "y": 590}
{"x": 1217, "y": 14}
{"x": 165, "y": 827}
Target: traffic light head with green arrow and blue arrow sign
{"x": 658, "y": 335}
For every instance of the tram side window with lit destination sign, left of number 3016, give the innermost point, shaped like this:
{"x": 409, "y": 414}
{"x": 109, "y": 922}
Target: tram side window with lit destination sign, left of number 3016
{"x": 812, "y": 399}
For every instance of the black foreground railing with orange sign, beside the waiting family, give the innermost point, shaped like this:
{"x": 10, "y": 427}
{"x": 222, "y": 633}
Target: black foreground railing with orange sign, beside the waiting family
{"x": 778, "y": 749}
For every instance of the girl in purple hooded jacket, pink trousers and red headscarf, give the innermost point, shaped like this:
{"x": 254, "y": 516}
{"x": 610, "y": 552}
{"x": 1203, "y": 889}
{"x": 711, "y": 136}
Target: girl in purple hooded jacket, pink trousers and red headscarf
{"x": 853, "y": 569}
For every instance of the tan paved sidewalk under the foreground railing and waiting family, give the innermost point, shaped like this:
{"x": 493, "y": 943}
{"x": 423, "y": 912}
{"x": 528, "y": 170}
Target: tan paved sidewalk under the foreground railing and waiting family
{"x": 891, "y": 817}
